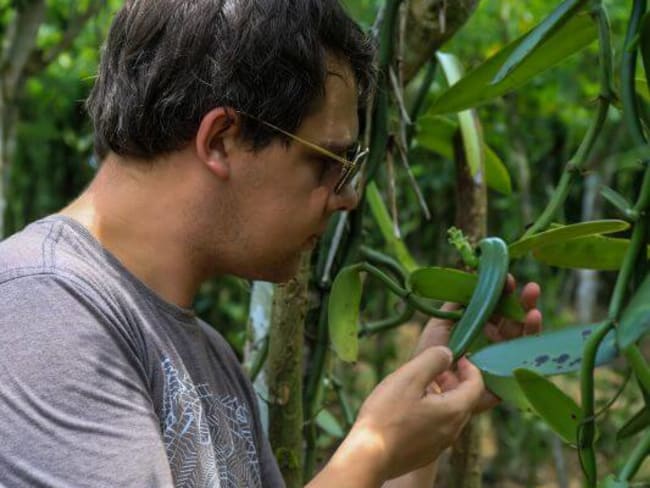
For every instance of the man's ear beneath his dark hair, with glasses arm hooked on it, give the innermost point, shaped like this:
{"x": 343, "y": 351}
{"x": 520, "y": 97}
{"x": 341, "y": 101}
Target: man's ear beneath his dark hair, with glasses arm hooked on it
{"x": 214, "y": 140}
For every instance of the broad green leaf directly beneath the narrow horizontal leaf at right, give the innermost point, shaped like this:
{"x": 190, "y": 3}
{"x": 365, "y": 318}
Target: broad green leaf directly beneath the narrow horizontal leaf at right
{"x": 591, "y": 252}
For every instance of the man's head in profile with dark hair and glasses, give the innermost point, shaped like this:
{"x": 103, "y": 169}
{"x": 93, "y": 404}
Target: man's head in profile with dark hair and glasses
{"x": 205, "y": 84}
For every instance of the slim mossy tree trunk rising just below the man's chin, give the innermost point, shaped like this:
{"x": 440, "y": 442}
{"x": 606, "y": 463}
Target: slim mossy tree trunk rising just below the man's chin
{"x": 285, "y": 372}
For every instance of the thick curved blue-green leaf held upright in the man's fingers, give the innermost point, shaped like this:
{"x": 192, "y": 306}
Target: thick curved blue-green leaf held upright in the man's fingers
{"x": 492, "y": 273}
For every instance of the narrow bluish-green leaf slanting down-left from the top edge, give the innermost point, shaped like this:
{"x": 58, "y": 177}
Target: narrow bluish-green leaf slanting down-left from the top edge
{"x": 532, "y": 42}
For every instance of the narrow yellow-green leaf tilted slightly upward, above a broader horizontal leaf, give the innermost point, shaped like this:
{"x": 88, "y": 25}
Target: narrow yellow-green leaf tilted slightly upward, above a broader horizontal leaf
{"x": 565, "y": 233}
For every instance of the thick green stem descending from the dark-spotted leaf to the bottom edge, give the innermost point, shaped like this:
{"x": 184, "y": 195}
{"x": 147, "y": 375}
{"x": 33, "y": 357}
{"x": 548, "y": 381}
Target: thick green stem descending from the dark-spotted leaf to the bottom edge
{"x": 588, "y": 428}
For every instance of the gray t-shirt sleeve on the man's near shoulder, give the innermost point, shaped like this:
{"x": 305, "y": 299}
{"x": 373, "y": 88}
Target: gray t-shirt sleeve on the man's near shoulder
{"x": 74, "y": 398}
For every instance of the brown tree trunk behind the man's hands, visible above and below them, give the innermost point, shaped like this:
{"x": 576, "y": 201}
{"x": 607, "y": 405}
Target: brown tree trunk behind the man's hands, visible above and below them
{"x": 464, "y": 469}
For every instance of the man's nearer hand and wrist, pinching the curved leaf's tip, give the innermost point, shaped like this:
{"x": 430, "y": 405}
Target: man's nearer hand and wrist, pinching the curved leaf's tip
{"x": 404, "y": 425}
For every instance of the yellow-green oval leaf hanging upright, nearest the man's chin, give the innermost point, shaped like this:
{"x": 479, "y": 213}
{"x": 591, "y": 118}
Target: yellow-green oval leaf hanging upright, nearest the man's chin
{"x": 343, "y": 313}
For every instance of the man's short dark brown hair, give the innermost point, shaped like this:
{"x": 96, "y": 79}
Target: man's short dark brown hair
{"x": 168, "y": 62}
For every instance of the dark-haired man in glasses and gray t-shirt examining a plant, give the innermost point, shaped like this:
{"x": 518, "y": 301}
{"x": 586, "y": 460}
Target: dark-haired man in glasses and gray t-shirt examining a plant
{"x": 205, "y": 113}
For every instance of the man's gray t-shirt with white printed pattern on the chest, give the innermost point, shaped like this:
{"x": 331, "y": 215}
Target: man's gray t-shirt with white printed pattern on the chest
{"x": 104, "y": 384}
